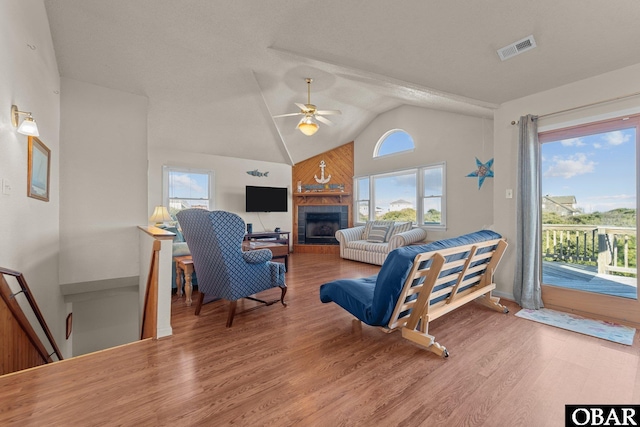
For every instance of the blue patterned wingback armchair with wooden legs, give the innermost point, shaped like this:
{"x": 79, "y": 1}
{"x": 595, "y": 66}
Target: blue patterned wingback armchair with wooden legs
{"x": 224, "y": 270}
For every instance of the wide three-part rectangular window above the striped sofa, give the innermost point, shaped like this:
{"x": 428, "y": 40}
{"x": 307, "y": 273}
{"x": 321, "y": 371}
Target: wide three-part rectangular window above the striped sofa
{"x": 416, "y": 195}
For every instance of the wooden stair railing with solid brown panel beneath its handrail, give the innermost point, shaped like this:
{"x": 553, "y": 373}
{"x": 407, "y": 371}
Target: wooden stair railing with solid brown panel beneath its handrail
{"x": 20, "y": 346}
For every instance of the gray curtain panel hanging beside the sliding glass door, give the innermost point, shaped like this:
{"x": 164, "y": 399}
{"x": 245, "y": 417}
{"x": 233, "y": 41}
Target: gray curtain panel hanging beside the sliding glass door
{"x": 526, "y": 286}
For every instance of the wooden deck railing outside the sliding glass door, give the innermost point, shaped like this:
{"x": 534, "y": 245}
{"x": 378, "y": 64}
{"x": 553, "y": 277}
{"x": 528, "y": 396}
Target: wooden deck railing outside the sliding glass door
{"x": 591, "y": 244}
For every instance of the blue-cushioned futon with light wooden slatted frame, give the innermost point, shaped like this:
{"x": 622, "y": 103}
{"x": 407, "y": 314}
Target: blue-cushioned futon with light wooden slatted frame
{"x": 418, "y": 284}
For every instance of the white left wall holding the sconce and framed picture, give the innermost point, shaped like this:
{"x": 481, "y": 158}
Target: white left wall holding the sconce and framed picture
{"x": 30, "y": 227}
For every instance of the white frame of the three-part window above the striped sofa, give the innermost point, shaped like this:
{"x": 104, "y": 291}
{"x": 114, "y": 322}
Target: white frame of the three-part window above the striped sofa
{"x": 420, "y": 197}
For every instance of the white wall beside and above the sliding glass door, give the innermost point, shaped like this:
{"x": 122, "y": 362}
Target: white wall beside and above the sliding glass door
{"x": 596, "y": 89}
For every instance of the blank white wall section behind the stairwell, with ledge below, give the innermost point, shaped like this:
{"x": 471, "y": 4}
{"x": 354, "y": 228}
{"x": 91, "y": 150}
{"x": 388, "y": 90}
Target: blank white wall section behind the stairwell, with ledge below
{"x": 103, "y": 198}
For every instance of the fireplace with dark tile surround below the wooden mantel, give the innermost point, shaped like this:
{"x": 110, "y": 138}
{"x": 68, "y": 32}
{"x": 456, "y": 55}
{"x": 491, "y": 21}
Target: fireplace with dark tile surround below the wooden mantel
{"x": 317, "y": 225}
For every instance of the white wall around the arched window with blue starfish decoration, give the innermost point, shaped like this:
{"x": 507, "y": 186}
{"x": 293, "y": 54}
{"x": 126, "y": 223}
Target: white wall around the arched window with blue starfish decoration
{"x": 439, "y": 137}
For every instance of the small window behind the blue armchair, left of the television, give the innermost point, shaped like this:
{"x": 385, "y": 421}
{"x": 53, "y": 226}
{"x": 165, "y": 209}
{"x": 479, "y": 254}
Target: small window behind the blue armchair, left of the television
{"x": 187, "y": 188}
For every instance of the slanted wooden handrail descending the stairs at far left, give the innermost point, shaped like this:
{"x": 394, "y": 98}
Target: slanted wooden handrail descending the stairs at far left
{"x": 21, "y": 319}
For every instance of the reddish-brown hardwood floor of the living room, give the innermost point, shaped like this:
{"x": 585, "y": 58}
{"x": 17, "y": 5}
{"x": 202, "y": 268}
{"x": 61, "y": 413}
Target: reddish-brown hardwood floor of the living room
{"x": 307, "y": 365}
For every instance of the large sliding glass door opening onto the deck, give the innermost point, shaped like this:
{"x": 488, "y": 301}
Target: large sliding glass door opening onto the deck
{"x": 589, "y": 213}
